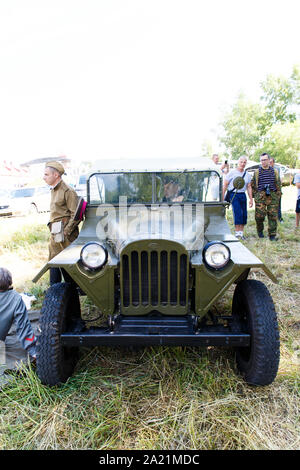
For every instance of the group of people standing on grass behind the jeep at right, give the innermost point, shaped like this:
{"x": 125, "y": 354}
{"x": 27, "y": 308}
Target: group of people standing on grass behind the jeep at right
{"x": 264, "y": 188}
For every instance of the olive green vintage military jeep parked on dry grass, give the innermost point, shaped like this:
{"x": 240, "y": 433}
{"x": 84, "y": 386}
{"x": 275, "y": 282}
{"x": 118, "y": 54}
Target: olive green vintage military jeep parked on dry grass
{"x": 154, "y": 254}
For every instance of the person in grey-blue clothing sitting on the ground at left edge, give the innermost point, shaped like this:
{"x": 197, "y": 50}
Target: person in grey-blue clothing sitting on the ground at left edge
{"x": 13, "y": 310}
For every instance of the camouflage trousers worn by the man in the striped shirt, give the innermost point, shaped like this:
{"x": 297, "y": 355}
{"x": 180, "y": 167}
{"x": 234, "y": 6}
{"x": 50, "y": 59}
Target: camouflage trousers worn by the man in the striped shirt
{"x": 266, "y": 206}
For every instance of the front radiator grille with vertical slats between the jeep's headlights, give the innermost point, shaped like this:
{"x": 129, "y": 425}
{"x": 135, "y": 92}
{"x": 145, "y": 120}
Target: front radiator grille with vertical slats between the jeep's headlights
{"x": 154, "y": 278}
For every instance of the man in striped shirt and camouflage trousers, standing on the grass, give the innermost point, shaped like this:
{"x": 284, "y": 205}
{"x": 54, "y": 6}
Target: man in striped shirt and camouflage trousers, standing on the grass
{"x": 266, "y": 189}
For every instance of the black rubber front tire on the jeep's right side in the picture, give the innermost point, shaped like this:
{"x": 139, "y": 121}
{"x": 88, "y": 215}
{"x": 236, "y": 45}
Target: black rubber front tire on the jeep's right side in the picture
{"x": 254, "y": 311}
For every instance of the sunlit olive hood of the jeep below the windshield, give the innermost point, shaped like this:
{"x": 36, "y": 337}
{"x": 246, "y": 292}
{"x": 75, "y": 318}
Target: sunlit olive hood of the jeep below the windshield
{"x": 188, "y": 225}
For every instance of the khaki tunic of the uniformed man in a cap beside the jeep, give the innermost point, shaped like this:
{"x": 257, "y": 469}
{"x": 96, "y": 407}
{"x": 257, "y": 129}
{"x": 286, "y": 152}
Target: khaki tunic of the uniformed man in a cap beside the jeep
{"x": 63, "y": 205}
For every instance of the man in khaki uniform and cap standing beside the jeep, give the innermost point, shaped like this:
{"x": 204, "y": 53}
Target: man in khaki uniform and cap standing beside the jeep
{"x": 63, "y": 227}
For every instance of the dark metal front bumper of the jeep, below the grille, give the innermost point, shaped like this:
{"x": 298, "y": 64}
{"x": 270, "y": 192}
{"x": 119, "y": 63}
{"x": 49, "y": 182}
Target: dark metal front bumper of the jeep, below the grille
{"x": 155, "y": 330}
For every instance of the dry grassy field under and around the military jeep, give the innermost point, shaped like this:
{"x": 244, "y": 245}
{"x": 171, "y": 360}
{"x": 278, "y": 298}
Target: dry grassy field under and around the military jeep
{"x": 158, "y": 398}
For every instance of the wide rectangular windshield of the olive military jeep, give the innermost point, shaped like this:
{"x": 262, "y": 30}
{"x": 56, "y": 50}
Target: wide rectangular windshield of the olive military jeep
{"x": 159, "y": 187}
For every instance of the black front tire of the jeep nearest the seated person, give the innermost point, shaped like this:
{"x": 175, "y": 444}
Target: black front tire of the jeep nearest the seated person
{"x": 55, "y": 363}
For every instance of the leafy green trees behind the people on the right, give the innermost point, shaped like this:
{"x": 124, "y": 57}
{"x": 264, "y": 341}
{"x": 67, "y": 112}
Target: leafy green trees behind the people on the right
{"x": 271, "y": 125}
